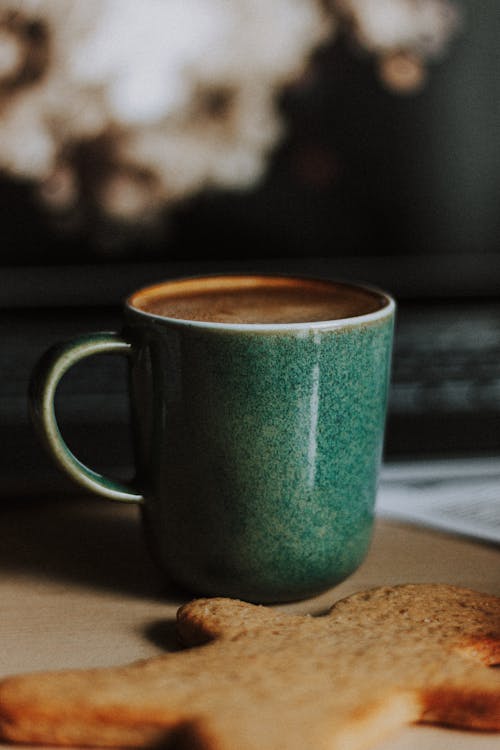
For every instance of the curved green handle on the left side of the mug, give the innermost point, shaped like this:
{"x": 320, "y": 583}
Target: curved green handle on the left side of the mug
{"x": 44, "y": 381}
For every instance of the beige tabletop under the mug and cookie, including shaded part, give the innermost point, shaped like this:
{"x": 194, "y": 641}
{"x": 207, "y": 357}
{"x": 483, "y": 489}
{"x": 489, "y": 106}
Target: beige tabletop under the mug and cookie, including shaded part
{"x": 77, "y": 589}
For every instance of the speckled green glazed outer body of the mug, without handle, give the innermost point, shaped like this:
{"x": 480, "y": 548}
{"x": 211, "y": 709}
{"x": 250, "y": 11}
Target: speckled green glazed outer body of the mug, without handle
{"x": 258, "y": 450}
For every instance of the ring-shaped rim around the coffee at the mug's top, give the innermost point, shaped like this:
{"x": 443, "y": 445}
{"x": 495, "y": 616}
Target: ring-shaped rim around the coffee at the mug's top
{"x": 385, "y": 311}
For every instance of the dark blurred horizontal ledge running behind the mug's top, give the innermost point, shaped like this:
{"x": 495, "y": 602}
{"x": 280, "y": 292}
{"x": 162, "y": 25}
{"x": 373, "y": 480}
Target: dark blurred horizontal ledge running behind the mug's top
{"x": 460, "y": 276}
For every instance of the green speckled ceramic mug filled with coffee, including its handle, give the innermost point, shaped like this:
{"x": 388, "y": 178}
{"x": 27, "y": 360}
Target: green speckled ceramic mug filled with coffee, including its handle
{"x": 258, "y": 407}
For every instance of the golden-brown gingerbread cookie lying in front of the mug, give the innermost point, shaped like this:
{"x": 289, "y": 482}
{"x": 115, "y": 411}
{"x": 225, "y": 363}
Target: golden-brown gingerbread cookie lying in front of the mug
{"x": 257, "y": 679}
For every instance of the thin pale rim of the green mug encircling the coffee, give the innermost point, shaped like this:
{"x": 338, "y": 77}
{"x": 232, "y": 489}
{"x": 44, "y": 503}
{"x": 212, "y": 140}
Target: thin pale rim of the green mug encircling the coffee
{"x": 355, "y": 320}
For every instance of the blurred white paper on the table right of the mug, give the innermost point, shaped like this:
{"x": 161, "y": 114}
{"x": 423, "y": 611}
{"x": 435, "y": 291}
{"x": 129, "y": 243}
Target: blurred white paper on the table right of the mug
{"x": 457, "y": 496}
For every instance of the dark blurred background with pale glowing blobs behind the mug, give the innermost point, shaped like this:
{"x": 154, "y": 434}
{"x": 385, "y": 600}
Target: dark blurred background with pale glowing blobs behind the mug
{"x": 352, "y": 139}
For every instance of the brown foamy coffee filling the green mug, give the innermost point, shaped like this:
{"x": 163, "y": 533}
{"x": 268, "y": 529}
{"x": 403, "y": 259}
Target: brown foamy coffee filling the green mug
{"x": 257, "y": 300}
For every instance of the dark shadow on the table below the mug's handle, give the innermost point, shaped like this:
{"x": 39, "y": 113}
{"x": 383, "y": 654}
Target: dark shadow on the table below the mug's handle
{"x": 88, "y": 542}
